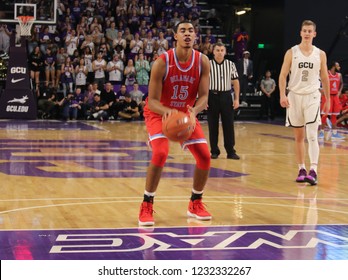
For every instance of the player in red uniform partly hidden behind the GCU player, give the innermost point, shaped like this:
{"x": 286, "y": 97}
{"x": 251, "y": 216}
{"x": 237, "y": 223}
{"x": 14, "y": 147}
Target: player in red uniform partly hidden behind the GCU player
{"x": 336, "y": 86}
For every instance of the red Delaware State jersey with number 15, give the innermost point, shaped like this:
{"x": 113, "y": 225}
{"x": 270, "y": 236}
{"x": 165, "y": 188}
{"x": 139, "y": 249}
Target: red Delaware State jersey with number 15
{"x": 181, "y": 81}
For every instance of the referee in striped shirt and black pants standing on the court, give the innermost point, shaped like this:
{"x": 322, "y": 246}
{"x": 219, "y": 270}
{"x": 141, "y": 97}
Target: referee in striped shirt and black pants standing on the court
{"x": 223, "y": 74}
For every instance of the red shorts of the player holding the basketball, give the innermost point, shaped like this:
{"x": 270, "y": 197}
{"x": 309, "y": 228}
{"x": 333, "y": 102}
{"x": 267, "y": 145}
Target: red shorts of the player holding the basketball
{"x": 153, "y": 124}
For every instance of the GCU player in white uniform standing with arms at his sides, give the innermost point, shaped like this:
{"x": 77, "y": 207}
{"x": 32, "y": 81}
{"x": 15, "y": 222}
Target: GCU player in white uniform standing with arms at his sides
{"x": 306, "y": 65}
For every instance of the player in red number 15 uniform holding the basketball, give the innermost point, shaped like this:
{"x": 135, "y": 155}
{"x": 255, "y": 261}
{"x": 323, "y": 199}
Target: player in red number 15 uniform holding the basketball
{"x": 179, "y": 82}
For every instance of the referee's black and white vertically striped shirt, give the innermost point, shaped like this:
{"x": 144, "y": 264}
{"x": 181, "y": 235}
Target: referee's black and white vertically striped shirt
{"x": 221, "y": 75}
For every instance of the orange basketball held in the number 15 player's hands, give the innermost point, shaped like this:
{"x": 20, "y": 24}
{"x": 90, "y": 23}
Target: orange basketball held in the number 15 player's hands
{"x": 177, "y": 127}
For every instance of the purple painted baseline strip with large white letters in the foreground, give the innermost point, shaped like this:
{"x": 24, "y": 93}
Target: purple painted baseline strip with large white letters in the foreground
{"x": 210, "y": 243}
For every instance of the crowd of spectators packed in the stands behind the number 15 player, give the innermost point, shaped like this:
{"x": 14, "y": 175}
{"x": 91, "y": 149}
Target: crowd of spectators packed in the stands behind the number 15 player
{"x": 97, "y": 59}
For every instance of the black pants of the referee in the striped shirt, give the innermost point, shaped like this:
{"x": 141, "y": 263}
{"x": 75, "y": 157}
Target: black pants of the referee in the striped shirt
{"x": 220, "y": 103}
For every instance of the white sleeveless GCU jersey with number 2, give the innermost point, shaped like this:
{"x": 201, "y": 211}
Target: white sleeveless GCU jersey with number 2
{"x": 305, "y": 71}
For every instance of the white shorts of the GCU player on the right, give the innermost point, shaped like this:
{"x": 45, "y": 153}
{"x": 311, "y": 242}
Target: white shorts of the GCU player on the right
{"x": 303, "y": 109}
